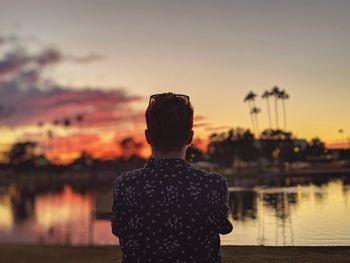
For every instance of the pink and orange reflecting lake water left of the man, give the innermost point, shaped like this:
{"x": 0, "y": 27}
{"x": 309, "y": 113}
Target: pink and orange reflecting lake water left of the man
{"x": 64, "y": 216}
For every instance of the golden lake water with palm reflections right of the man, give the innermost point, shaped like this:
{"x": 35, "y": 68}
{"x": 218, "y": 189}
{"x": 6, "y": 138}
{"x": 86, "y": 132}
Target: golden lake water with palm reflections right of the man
{"x": 298, "y": 215}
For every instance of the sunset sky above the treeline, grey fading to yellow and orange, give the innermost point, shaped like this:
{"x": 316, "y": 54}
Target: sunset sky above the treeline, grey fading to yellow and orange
{"x": 214, "y": 51}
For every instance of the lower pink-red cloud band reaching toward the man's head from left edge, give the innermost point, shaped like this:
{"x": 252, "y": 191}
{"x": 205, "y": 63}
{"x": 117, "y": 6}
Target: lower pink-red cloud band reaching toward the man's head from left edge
{"x": 99, "y": 107}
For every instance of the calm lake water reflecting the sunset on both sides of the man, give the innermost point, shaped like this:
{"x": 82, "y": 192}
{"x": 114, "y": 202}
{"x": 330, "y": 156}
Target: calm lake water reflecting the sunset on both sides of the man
{"x": 298, "y": 215}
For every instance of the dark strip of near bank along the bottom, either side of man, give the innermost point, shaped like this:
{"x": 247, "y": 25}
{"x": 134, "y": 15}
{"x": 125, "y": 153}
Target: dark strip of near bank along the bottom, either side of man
{"x": 16, "y": 253}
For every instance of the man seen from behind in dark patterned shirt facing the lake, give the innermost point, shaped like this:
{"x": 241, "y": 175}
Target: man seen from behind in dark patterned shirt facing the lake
{"x": 168, "y": 211}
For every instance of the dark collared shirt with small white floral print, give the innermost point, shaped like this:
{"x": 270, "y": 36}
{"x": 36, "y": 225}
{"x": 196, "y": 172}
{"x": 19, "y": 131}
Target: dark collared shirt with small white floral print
{"x": 168, "y": 211}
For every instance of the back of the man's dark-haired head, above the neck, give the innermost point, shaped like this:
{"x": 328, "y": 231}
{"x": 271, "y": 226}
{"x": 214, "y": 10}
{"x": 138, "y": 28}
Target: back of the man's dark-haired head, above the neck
{"x": 169, "y": 121}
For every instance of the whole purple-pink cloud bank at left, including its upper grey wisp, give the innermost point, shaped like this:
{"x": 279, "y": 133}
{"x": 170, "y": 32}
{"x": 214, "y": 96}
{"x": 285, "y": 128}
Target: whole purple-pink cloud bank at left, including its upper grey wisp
{"x": 26, "y": 98}
